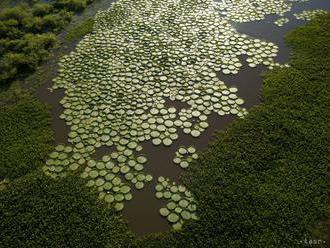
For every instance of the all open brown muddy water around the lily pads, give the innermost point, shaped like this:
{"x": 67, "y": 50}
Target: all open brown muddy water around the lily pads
{"x": 142, "y": 211}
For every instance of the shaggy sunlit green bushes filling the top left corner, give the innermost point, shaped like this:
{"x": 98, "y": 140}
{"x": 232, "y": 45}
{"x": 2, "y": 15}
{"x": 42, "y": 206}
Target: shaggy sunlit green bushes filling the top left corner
{"x": 28, "y": 32}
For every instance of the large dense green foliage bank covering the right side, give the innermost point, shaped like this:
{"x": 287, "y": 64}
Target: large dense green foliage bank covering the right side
{"x": 264, "y": 181}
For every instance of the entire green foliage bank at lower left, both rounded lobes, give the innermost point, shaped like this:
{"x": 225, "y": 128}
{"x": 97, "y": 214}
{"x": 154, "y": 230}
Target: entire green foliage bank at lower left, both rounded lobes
{"x": 36, "y": 210}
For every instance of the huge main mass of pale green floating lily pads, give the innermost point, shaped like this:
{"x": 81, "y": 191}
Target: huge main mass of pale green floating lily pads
{"x": 117, "y": 80}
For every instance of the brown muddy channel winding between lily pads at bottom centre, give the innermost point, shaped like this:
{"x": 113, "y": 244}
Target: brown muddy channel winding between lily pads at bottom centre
{"x": 142, "y": 211}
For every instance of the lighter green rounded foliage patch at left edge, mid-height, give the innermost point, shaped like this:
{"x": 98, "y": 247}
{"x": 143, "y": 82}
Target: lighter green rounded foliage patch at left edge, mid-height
{"x": 25, "y": 137}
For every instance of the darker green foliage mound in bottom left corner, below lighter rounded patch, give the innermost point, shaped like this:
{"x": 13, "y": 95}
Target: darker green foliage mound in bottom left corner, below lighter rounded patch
{"x": 37, "y": 211}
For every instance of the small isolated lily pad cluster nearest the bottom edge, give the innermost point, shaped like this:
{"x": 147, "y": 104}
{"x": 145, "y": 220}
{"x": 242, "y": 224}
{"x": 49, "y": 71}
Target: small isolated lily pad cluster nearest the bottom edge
{"x": 180, "y": 202}
